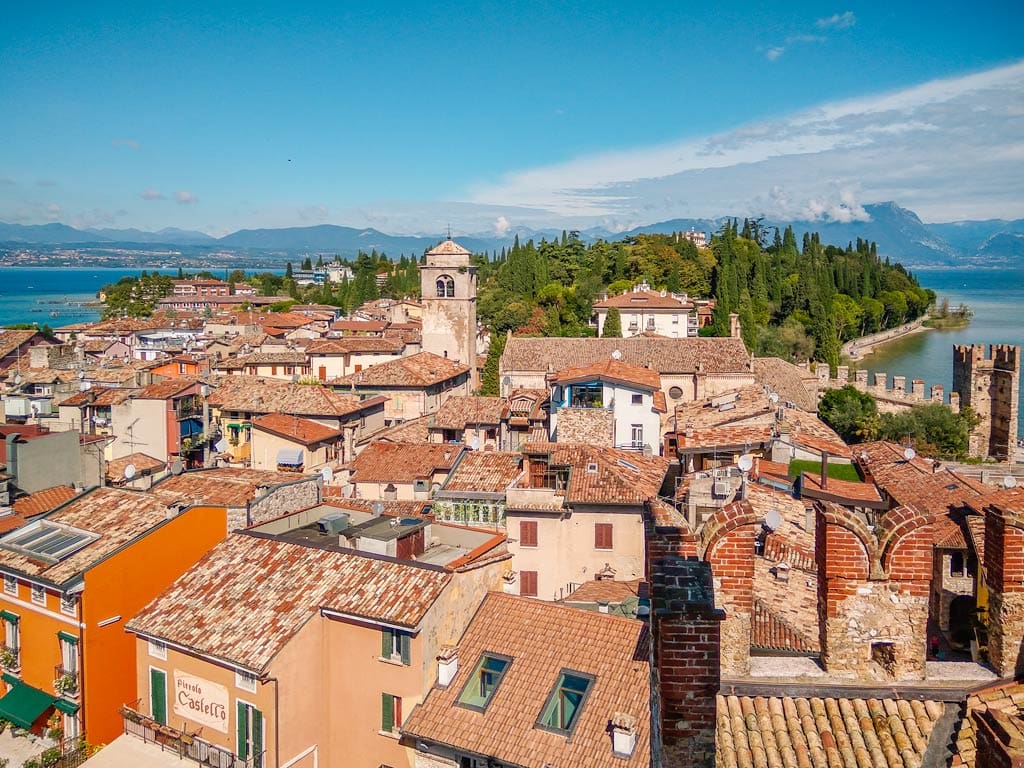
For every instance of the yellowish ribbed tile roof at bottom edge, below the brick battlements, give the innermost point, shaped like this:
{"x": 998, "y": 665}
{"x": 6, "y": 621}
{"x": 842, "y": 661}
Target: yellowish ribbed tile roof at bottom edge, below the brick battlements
{"x": 805, "y": 733}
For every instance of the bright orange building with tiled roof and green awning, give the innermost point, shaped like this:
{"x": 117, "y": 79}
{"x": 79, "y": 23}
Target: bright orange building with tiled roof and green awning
{"x": 71, "y": 580}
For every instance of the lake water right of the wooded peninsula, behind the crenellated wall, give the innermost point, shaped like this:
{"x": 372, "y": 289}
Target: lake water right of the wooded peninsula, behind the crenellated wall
{"x": 997, "y": 296}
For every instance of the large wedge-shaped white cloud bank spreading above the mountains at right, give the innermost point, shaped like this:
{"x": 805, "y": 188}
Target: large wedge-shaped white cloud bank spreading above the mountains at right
{"x": 820, "y": 163}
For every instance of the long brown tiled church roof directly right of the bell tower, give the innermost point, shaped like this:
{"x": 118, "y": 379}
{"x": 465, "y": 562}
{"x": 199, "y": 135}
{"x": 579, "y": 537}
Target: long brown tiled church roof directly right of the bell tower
{"x": 712, "y": 356}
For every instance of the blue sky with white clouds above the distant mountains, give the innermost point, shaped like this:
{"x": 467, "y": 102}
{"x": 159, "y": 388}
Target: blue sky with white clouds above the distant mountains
{"x": 491, "y": 117}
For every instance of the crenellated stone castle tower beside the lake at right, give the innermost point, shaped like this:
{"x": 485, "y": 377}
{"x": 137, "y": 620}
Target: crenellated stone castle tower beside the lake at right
{"x": 991, "y": 387}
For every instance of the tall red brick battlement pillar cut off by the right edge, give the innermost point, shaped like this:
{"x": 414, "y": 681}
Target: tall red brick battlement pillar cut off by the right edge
{"x": 1005, "y": 576}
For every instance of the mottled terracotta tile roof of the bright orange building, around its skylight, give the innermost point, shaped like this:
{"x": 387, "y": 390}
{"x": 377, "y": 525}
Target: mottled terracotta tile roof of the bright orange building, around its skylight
{"x": 116, "y": 517}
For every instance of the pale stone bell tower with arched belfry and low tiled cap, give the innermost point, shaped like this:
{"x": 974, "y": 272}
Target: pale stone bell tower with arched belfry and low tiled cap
{"x": 448, "y": 288}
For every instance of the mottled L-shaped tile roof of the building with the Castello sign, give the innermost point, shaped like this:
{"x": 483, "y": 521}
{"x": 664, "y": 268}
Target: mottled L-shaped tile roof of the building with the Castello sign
{"x": 248, "y": 598}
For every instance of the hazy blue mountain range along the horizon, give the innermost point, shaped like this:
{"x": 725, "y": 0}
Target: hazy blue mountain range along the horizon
{"x": 900, "y": 233}
